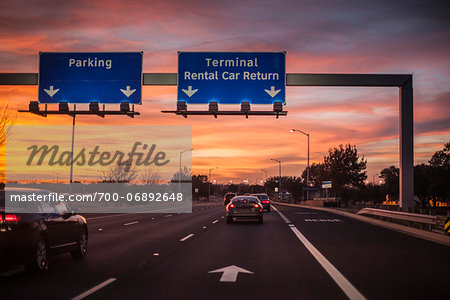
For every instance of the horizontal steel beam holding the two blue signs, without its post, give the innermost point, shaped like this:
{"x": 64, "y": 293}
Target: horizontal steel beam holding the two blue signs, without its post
{"x": 292, "y": 79}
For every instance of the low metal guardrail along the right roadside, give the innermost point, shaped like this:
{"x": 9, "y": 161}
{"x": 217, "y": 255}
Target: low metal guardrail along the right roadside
{"x": 431, "y": 221}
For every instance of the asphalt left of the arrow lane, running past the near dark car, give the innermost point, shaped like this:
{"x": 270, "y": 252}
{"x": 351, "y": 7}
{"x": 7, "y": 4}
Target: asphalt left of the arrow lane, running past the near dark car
{"x": 116, "y": 249}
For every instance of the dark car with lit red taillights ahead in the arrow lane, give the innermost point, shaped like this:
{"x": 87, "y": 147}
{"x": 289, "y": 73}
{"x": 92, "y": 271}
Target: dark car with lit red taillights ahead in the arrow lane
{"x": 244, "y": 207}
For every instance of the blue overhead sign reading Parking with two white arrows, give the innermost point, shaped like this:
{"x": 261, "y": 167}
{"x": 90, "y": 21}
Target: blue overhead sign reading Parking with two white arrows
{"x": 96, "y": 76}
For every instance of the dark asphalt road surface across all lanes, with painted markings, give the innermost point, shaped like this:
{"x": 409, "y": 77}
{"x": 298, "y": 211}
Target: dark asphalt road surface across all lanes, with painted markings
{"x": 297, "y": 253}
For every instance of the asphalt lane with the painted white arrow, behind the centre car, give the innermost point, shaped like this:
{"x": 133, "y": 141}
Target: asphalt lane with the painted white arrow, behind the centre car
{"x": 282, "y": 268}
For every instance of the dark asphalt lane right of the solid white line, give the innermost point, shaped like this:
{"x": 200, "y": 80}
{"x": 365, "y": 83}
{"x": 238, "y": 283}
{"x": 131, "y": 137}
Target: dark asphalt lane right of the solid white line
{"x": 381, "y": 262}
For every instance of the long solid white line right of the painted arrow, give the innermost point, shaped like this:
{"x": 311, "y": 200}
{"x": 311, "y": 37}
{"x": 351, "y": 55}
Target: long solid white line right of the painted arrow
{"x": 345, "y": 285}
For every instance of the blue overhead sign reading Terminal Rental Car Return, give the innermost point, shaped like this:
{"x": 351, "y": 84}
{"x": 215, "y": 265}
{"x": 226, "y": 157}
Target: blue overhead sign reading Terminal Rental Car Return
{"x": 231, "y": 77}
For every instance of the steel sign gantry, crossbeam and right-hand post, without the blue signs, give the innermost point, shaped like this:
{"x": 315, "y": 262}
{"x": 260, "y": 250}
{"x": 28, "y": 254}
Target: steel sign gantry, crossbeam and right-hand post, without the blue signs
{"x": 404, "y": 82}
